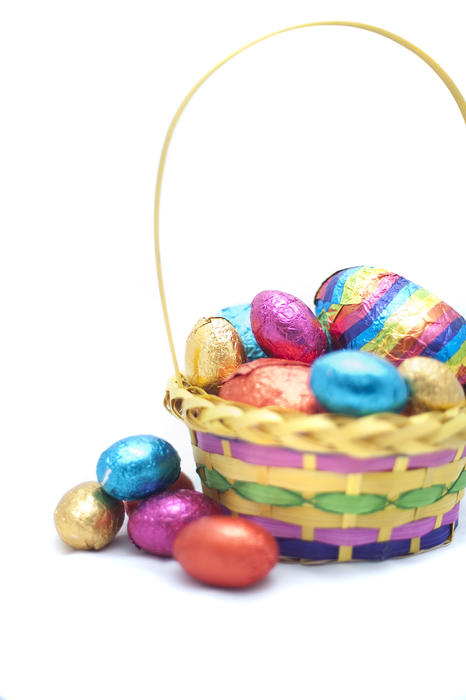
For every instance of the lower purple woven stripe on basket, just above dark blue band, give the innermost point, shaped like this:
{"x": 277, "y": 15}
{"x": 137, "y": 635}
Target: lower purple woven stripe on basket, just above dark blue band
{"x": 353, "y": 536}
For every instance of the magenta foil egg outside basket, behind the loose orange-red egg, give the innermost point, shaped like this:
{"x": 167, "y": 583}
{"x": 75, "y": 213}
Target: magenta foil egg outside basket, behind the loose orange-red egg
{"x": 154, "y": 525}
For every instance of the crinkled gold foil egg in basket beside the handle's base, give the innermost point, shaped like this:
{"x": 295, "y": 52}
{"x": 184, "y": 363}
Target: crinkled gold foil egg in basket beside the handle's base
{"x": 213, "y": 351}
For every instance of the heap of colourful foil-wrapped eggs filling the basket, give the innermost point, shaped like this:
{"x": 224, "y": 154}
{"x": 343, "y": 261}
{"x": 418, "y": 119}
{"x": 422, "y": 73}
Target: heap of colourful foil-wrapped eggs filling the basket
{"x": 376, "y": 343}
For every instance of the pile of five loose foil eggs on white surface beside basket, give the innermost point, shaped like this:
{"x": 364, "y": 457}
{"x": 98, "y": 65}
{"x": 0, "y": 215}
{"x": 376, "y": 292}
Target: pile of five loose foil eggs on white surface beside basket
{"x": 140, "y": 475}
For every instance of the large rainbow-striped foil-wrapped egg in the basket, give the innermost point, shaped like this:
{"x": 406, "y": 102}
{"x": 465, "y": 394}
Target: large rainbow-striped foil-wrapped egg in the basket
{"x": 367, "y": 308}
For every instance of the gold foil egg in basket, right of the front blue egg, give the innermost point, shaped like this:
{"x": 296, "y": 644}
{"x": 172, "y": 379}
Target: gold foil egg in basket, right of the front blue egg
{"x": 433, "y": 385}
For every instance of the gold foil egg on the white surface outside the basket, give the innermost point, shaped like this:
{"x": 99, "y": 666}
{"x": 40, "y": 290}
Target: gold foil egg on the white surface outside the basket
{"x": 88, "y": 518}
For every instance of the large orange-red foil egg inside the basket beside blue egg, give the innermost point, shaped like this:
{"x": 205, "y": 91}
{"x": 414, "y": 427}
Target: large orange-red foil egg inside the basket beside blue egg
{"x": 272, "y": 382}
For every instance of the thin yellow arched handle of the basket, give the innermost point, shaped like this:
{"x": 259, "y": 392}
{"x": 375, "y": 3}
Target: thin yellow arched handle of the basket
{"x": 163, "y": 157}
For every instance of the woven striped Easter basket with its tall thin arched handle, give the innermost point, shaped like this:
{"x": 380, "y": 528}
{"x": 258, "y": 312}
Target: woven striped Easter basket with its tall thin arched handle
{"x": 329, "y": 487}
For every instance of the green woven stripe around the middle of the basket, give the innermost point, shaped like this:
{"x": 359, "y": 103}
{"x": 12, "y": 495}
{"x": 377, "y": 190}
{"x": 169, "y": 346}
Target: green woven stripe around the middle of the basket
{"x": 337, "y": 502}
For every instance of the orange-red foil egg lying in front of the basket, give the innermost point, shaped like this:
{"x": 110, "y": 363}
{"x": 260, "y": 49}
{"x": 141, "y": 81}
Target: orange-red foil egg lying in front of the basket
{"x": 221, "y": 550}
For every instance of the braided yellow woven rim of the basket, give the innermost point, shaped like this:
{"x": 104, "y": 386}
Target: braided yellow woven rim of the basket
{"x": 375, "y": 435}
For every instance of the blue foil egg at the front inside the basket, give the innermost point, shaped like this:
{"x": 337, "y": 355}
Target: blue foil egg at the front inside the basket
{"x": 357, "y": 383}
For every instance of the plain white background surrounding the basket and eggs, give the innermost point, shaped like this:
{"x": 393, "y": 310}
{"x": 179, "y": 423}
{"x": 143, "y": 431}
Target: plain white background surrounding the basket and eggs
{"x": 317, "y": 150}
